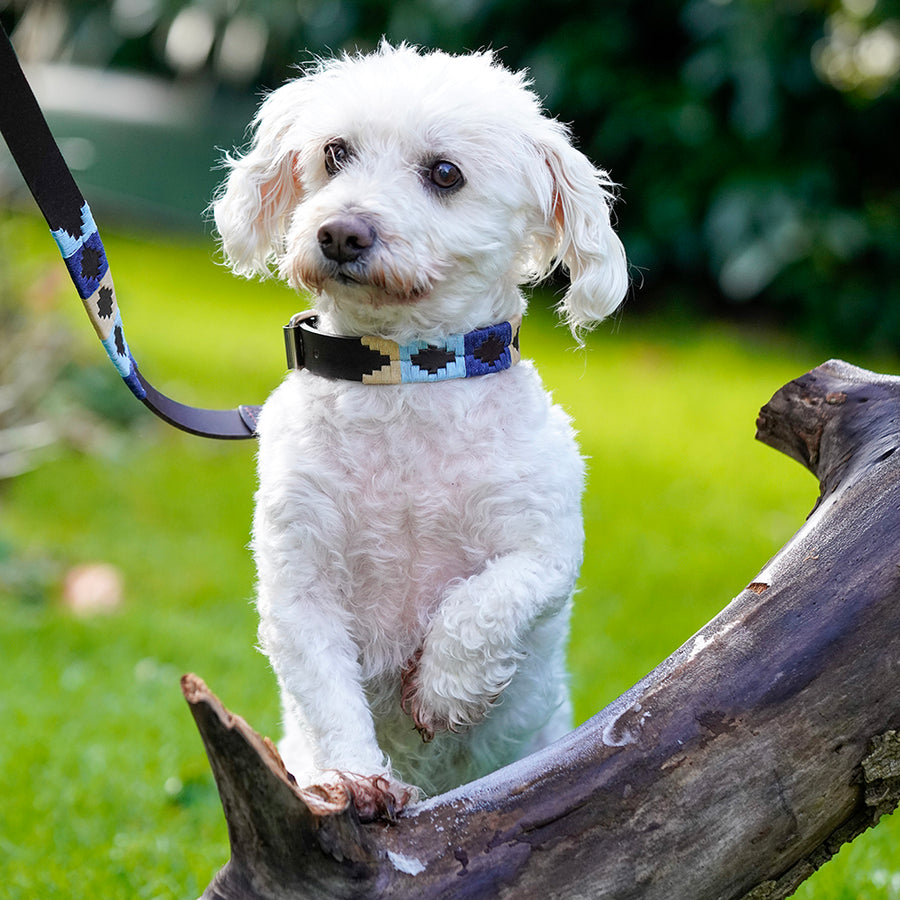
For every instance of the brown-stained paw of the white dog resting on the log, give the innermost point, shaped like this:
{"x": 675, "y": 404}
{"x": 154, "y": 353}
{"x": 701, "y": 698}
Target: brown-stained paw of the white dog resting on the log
{"x": 373, "y": 796}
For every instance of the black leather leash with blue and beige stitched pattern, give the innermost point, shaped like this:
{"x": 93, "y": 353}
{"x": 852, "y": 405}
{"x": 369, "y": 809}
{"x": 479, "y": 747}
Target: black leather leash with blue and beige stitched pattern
{"x": 54, "y": 189}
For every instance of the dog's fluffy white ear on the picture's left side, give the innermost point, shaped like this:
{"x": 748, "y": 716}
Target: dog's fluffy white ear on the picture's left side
{"x": 262, "y": 187}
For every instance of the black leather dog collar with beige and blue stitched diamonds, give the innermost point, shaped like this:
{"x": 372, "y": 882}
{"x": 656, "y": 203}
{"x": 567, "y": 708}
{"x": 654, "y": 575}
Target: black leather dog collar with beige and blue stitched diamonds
{"x": 375, "y": 360}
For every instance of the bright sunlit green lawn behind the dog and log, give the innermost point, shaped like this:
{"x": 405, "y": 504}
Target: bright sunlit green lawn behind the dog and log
{"x": 105, "y": 789}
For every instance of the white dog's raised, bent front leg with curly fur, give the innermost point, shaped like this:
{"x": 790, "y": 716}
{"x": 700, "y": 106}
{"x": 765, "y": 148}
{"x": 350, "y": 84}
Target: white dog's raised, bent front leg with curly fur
{"x": 475, "y": 643}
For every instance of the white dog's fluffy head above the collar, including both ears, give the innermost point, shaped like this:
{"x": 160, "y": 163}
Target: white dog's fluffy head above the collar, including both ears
{"x": 414, "y": 192}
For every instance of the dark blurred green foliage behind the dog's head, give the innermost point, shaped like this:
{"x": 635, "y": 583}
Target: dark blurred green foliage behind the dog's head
{"x": 754, "y": 139}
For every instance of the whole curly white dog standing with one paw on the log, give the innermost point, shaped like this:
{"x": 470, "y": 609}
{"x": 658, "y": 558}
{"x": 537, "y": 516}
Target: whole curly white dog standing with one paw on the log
{"x": 417, "y": 543}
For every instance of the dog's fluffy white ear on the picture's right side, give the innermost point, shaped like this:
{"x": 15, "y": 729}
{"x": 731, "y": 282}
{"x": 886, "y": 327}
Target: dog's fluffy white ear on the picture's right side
{"x": 585, "y": 241}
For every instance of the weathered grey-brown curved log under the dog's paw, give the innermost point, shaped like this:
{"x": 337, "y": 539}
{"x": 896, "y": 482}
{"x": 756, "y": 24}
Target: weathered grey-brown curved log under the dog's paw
{"x": 733, "y": 770}
